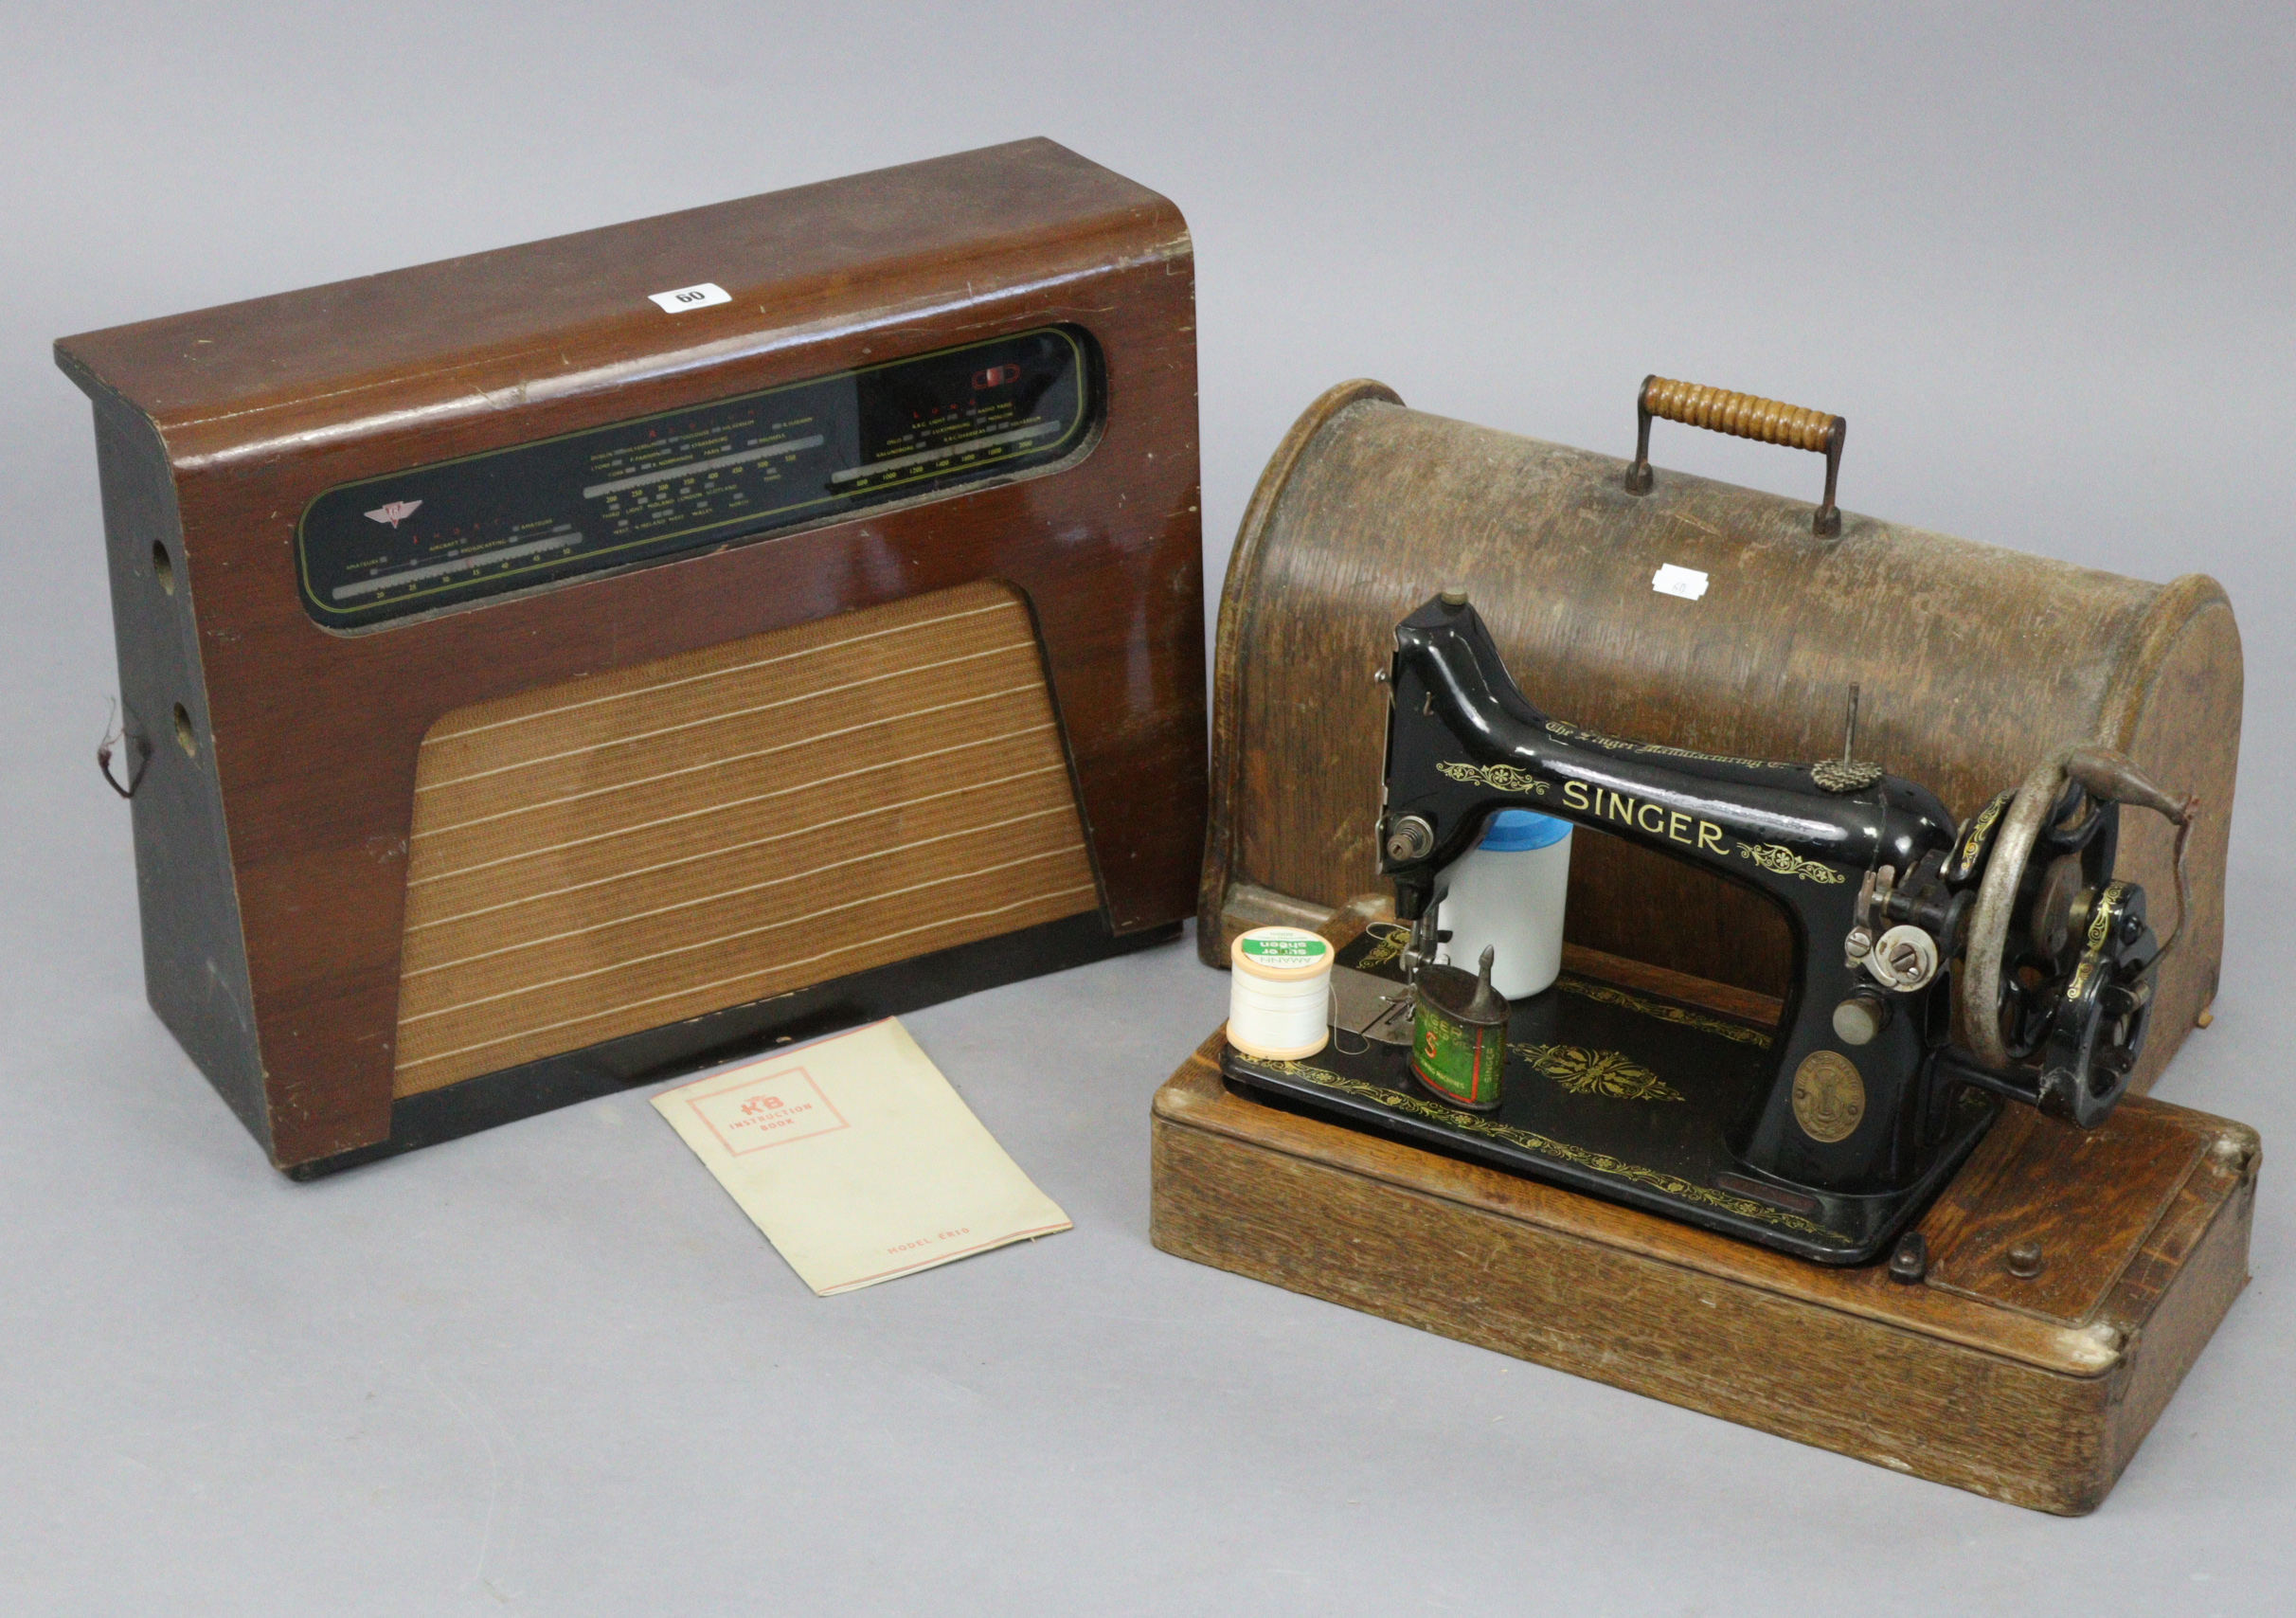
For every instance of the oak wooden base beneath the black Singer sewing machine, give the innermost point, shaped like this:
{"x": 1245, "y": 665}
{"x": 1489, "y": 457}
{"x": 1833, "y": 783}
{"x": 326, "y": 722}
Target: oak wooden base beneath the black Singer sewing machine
{"x": 2026, "y": 1390}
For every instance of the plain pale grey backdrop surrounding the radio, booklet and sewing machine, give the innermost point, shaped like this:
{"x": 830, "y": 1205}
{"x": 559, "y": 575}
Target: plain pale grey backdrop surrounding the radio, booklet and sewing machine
{"x": 2038, "y": 256}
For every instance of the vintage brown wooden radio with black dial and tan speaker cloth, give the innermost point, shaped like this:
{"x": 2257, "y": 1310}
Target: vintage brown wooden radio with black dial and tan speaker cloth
{"x": 557, "y": 667}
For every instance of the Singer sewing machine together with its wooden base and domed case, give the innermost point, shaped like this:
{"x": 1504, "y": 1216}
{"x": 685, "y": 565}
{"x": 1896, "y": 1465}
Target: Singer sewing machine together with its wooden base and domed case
{"x": 1836, "y": 1121}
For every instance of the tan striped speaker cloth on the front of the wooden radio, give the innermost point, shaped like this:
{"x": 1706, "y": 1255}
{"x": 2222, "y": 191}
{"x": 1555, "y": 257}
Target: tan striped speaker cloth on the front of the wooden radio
{"x": 727, "y": 825}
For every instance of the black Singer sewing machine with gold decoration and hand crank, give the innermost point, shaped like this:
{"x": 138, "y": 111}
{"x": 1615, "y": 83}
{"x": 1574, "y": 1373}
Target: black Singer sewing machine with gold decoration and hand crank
{"x": 1833, "y": 1130}
